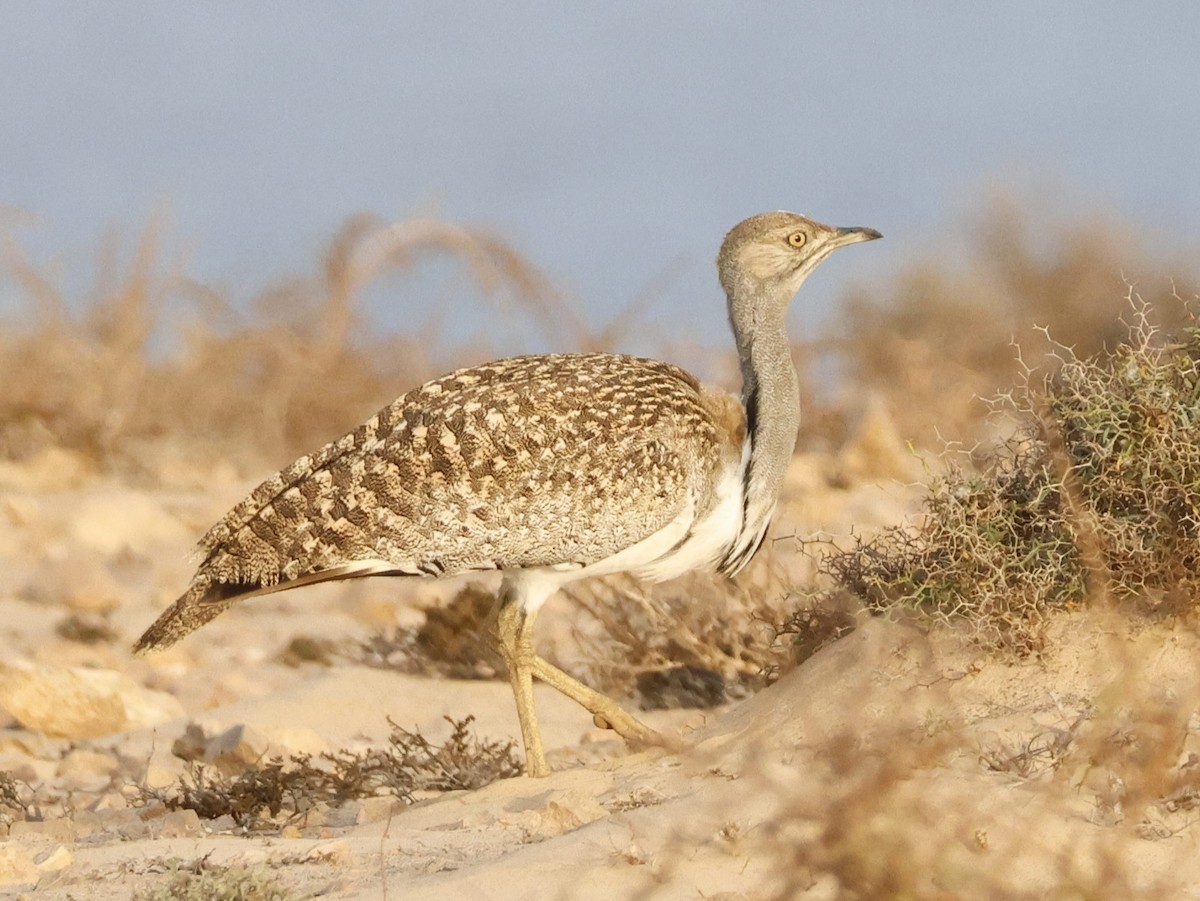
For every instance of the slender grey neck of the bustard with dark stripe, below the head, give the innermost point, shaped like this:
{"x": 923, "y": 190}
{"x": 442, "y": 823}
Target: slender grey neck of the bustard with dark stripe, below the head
{"x": 772, "y": 397}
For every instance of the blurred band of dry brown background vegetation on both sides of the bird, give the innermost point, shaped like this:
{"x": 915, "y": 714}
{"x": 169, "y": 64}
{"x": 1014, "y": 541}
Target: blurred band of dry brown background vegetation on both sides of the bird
{"x": 152, "y": 361}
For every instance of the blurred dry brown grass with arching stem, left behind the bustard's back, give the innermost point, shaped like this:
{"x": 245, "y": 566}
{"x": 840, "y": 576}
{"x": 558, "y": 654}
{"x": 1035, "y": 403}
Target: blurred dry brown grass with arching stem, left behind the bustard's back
{"x": 125, "y": 370}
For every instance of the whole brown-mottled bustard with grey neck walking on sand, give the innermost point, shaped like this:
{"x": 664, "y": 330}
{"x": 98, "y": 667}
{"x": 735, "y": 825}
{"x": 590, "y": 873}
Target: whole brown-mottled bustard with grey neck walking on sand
{"x": 549, "y": 468}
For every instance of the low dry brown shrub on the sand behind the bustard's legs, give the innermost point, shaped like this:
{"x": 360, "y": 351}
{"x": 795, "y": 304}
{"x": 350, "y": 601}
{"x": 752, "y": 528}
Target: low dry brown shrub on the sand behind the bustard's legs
{"x": 695, "y": 644}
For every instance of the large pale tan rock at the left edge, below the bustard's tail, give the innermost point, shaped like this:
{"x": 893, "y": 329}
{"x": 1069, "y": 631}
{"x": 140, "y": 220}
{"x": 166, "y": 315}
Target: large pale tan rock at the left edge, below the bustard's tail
{"x": 75, "y": 702}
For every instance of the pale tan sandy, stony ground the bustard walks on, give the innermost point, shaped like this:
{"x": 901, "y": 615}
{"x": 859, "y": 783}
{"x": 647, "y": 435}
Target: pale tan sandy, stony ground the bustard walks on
{"x": 897, "y": 762}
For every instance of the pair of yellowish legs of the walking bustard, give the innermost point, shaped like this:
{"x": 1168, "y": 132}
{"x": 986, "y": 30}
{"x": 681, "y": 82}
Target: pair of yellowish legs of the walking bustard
{"x": 513, "y": 632}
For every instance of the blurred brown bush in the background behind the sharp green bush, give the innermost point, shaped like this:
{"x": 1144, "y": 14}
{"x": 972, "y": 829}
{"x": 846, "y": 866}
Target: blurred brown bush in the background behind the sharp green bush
{"x": 938, "y": 339}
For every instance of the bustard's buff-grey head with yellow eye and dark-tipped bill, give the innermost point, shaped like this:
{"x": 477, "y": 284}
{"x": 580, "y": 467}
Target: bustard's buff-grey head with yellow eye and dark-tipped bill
{"x": 772, "y": 254}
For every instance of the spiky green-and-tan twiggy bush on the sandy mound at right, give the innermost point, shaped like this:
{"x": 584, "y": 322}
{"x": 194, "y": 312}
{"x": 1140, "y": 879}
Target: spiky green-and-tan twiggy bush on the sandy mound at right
{"x": 1097, "y": 496}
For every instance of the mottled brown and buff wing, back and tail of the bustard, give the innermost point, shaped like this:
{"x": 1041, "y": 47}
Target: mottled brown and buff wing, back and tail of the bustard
{"x": 536, "y": 461}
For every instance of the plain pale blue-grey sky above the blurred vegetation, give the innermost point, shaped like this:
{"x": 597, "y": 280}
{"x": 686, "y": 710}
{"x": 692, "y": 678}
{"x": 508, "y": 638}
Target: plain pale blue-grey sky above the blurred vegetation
{"x": 605, "y": 141}
